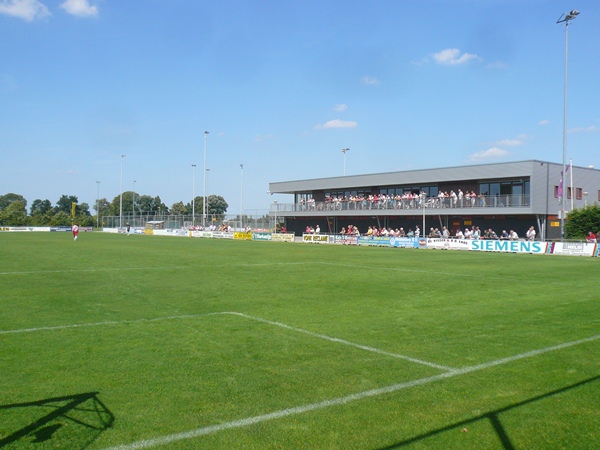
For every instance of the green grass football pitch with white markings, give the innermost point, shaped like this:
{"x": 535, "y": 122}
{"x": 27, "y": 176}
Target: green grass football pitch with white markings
{"x": 175, "y": 343}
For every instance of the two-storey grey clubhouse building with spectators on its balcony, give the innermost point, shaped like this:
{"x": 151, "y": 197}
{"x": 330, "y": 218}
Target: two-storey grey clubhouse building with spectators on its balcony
{"x": 503, "y": 196}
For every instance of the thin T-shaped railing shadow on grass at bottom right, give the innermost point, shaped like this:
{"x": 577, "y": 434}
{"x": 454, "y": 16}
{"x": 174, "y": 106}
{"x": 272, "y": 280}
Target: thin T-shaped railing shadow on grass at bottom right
{"x": 492, "y": 416}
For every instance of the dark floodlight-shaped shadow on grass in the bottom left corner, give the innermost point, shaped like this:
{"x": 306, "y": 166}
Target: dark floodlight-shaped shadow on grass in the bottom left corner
{"x": 73, "y": 421}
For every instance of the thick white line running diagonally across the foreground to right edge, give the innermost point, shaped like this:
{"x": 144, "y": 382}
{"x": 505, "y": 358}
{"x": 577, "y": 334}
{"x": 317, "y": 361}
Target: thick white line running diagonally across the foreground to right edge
{"x": 164, "y": 440}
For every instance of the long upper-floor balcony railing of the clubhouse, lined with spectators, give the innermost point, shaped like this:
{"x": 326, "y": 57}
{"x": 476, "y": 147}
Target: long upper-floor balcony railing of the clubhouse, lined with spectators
{"x": 402, "y": 204}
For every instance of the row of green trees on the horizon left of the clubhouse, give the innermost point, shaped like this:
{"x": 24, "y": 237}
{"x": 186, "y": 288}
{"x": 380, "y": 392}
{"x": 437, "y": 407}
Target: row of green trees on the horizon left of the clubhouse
{"x": 13, "y": 209}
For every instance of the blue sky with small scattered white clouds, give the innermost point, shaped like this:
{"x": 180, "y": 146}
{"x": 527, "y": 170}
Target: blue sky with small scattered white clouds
{"x": 282, "y": 86}
